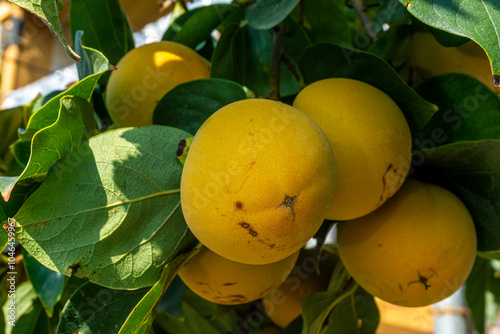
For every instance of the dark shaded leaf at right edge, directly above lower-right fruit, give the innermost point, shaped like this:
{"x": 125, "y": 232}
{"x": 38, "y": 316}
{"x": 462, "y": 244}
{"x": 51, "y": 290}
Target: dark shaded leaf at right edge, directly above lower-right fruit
{"x": 471, "y": 169}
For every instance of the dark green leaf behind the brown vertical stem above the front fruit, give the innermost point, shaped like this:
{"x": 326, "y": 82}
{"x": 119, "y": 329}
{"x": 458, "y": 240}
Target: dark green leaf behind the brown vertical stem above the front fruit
{"x": 244, "y": 55}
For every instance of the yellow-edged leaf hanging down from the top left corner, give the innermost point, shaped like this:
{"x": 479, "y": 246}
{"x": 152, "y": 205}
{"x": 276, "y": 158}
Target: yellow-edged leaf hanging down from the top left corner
{"x": 47, "y": 11}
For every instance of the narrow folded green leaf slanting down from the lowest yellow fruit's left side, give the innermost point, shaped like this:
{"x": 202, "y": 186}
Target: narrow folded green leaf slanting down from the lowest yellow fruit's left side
{"x": 137, "y": 320}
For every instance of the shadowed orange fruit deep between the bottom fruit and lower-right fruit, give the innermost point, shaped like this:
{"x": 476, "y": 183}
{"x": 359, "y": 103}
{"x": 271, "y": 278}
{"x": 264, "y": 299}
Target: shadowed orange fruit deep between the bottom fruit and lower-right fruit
{"x": 282, "y": 305}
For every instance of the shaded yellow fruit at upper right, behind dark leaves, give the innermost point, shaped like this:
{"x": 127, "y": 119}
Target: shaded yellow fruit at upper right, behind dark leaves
{"x": 430, "y": 59}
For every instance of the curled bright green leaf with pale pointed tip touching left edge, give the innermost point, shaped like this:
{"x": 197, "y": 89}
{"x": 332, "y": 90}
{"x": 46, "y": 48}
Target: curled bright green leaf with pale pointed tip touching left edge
{"x": 53, "y": 142}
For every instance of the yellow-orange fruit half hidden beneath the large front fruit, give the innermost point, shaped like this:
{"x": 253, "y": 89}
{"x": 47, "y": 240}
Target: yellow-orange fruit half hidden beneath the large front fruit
{"x": 223, "y": 281}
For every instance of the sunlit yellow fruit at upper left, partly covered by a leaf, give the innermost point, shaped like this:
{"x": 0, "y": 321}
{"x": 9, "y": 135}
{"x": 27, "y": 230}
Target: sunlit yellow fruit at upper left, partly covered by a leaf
{"x": 144, "y": 75}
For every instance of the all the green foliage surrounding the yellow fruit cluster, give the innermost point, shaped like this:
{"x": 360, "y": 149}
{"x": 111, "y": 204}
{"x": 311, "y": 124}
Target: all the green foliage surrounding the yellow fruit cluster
{"x": 96, "y": 211}
